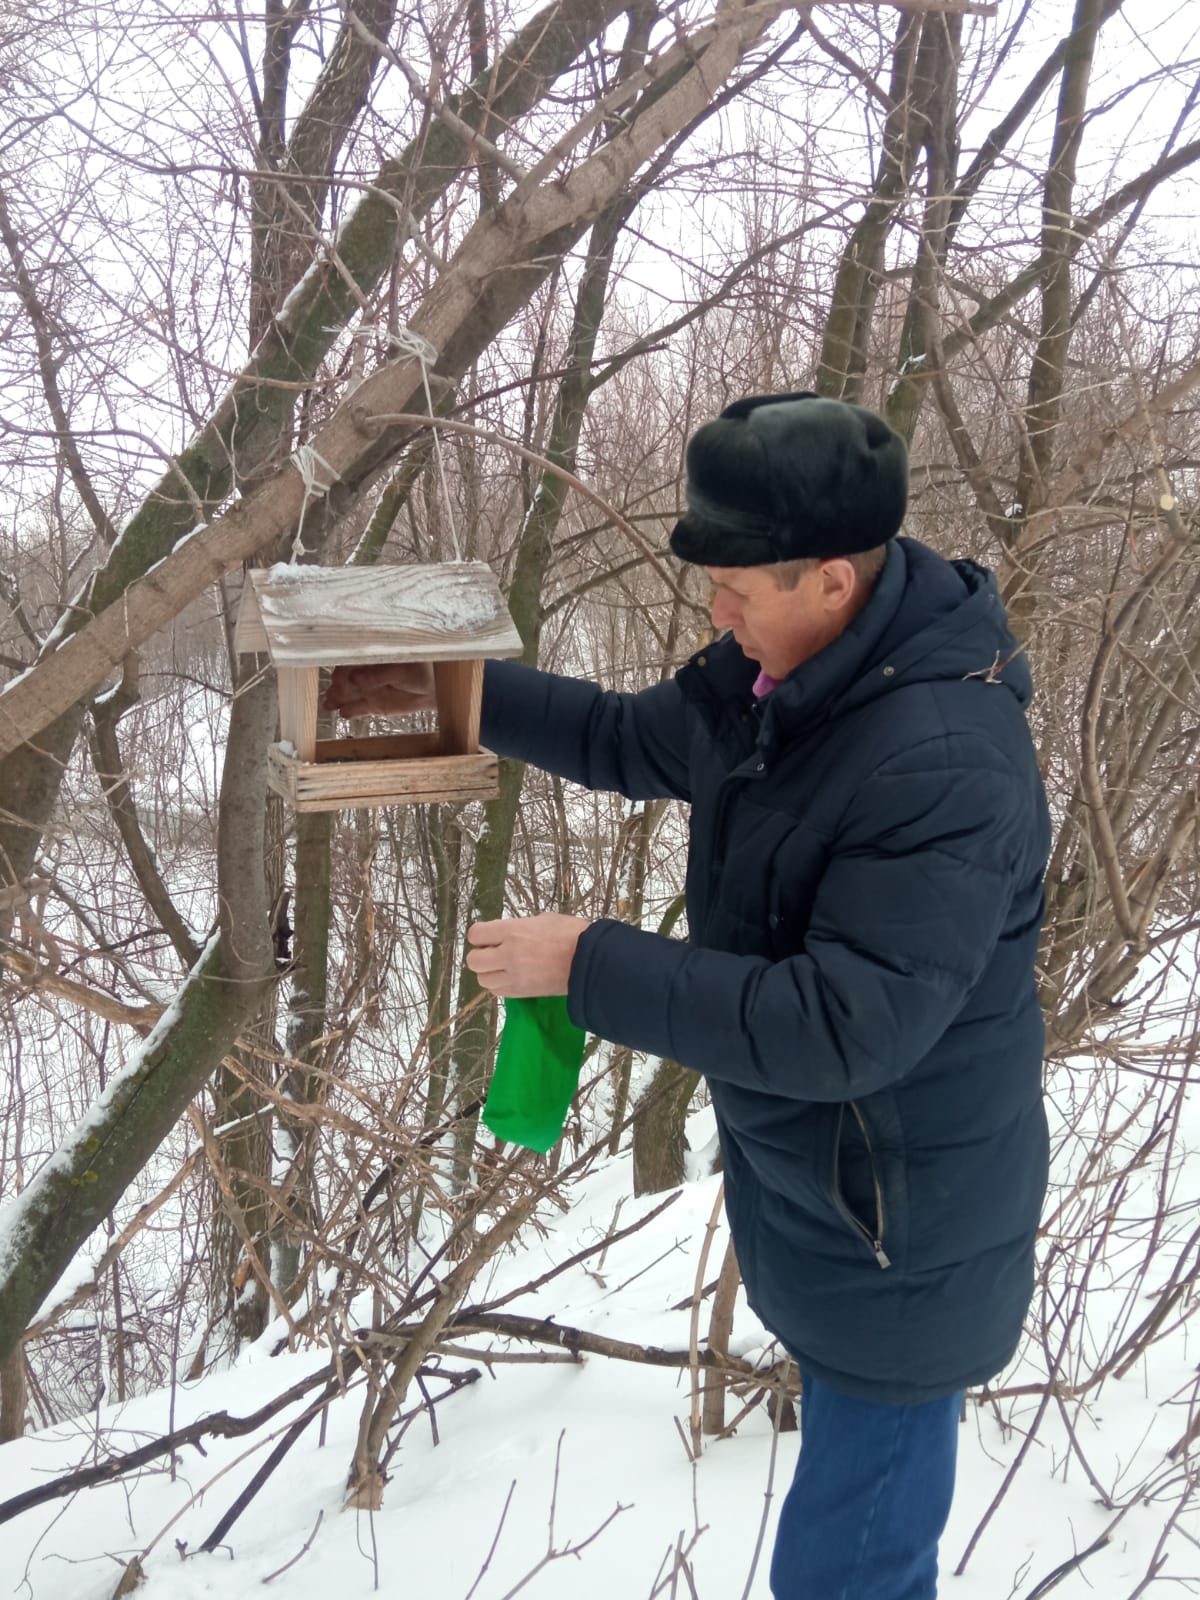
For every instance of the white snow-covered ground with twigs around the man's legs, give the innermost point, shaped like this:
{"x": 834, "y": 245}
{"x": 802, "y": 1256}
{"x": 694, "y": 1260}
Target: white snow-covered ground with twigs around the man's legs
{"x": 470, "y": 1514}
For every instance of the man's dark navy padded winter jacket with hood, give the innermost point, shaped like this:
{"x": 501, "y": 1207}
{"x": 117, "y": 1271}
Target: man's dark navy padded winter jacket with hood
{"x": 865, "y": 898}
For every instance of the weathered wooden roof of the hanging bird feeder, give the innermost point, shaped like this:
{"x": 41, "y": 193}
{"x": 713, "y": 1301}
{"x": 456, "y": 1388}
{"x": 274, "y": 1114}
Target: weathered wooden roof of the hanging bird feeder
{"x": 324, "y": 617}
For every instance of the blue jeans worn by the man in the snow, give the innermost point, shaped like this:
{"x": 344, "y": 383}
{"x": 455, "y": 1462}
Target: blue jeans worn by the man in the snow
{"x": 870, "y": 1500}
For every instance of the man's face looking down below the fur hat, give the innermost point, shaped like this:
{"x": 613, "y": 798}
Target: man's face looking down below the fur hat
{"x": 782, "y": 628}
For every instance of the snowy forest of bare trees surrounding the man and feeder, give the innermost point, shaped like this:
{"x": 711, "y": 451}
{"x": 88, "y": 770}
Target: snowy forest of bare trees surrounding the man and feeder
{"x": 351, "y": 284}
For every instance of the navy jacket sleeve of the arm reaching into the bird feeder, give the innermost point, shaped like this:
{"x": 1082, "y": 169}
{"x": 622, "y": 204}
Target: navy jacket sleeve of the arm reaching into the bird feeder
{"x": 634, "y": 745}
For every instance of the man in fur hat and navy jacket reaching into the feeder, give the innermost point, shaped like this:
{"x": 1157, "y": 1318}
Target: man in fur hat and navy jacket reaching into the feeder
{"x": 865, "y": 897}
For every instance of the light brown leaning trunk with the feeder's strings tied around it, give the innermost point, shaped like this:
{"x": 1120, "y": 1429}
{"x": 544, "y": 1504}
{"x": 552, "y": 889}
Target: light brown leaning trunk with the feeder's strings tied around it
{"x": 502, "y": 262}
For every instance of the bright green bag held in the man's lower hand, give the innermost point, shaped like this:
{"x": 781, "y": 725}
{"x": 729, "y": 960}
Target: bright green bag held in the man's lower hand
{"x": 537, "y": 1073}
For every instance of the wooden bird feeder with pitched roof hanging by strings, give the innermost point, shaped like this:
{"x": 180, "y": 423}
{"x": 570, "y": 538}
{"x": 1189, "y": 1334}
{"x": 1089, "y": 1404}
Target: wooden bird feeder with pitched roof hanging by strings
{"x": 308, "y": 618}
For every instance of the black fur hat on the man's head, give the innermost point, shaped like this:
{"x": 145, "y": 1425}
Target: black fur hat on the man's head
{"x": 785, "y": 478}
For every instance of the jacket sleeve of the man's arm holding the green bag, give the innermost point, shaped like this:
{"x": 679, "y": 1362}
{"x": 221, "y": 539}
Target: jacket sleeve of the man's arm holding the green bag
{"x": 906, "y": 918}
